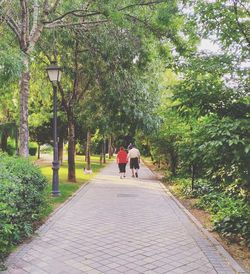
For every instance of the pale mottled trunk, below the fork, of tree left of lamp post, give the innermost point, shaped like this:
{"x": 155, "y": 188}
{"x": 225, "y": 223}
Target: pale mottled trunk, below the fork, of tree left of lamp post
{"x": 24, "y": 94}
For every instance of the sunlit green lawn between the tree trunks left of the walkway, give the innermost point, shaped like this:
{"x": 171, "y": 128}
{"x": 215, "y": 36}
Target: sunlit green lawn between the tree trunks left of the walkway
{"x": 67, "y": 188}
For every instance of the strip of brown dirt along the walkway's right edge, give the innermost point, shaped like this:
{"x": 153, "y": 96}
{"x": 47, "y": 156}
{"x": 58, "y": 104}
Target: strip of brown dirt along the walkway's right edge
{"x": 240, "y": 253}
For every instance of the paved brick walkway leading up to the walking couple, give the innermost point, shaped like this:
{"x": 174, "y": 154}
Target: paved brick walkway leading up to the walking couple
{"x": 121, "y": 226}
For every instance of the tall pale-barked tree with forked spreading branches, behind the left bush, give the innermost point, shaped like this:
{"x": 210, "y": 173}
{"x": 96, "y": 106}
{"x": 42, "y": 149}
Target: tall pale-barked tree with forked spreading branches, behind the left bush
{"x": 28, "y": 19}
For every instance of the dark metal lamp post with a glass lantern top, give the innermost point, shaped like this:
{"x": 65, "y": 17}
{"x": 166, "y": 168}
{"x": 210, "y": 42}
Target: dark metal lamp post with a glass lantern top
{"x": 54, "y": 73}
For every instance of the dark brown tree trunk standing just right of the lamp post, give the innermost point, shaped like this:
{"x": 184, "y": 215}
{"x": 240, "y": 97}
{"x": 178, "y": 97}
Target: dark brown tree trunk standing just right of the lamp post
{"x": 71, "y": 150}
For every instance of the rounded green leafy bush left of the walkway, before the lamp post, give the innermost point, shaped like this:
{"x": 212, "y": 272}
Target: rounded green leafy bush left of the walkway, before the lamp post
{"x": 22, "y": 200}
